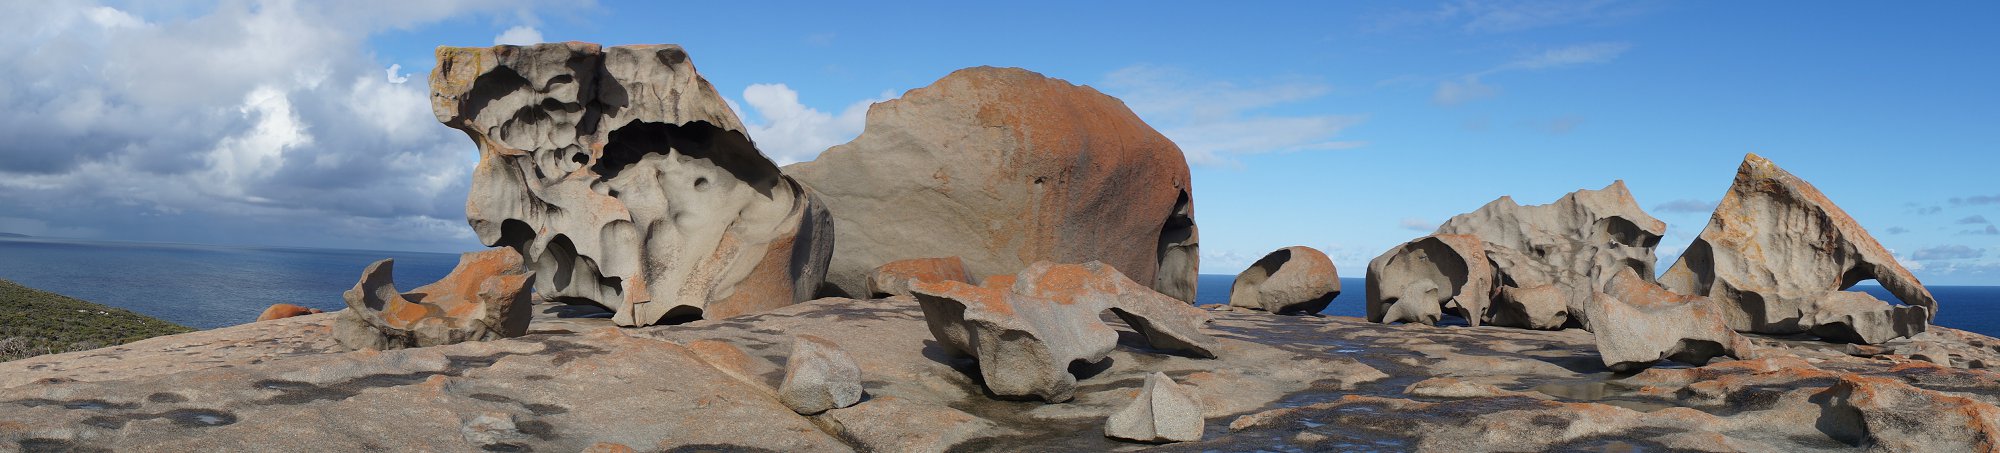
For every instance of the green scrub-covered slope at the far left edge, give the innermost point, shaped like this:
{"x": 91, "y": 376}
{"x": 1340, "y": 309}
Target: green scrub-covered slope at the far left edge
{"x": 43, "y": 324}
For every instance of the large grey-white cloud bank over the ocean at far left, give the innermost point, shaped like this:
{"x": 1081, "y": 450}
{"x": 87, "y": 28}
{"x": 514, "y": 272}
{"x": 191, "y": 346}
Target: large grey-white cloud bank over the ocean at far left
{"x": 253, "y": 113}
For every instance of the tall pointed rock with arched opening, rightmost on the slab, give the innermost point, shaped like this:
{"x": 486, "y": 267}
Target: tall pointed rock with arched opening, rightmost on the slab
{"x": 1777, "y": 254}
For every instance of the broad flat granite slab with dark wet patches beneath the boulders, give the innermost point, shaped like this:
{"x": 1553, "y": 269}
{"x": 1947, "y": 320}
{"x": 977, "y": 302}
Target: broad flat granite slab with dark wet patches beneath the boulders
{"x": 1283, "y": 384}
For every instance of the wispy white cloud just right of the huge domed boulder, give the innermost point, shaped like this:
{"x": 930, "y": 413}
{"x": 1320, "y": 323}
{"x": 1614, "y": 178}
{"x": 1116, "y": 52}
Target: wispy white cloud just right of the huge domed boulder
{"x": 1217, "y": 121}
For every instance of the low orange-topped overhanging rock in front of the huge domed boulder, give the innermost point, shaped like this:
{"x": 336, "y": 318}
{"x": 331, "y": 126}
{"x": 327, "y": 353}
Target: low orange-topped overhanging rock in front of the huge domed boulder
{"x": 1027, "y": 336}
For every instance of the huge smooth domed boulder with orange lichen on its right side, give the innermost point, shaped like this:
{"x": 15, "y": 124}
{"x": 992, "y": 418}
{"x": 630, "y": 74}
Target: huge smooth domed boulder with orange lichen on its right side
{"x": 1007, "y": 167}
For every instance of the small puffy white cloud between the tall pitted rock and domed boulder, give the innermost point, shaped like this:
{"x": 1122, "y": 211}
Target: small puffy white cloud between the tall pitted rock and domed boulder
{"x": 789, "y": 131}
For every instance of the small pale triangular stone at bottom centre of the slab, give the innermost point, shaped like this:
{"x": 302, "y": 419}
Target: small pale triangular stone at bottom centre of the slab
{"x": 1161, "y": 414}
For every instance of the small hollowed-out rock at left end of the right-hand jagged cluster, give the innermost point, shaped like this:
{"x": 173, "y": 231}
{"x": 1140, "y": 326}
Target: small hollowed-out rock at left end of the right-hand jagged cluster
{"x": 1419, "y": 280}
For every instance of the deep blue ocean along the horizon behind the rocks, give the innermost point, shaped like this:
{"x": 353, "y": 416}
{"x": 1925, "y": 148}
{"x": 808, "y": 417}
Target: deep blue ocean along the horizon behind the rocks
{"x": 207, "y": 286}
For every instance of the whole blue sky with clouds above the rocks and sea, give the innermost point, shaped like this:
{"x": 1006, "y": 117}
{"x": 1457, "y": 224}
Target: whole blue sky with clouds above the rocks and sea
{"x": 1341, "y": 125}
